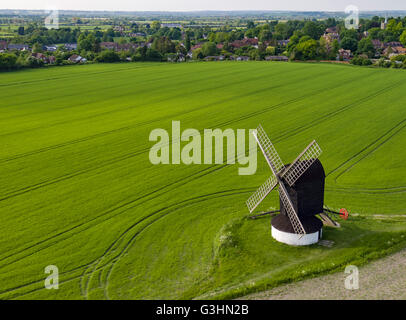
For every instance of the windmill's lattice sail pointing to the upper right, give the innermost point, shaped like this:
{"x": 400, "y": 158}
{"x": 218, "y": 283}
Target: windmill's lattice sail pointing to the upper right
{"x": 302, "y": 163}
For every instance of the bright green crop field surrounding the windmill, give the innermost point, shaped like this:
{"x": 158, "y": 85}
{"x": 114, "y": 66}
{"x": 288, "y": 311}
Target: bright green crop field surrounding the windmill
{"x": 78, "y": 190}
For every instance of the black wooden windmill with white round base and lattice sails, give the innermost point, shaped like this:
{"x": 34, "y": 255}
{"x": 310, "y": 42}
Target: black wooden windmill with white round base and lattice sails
{"x": 301, "y": 192}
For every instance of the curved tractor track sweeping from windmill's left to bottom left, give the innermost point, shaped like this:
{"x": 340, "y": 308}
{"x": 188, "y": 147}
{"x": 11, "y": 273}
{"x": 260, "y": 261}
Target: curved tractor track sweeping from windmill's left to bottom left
{"x": 172, "y": 208}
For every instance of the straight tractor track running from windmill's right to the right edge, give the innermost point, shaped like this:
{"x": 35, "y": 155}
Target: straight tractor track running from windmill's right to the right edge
{"x": 370, "y": 148}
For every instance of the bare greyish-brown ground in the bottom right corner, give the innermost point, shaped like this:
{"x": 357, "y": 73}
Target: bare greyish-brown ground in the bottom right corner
{"x": 382, "y": 279}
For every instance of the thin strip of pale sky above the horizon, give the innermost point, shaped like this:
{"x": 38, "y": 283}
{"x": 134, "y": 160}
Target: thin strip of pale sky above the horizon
{"x": 194, "y": 5}
